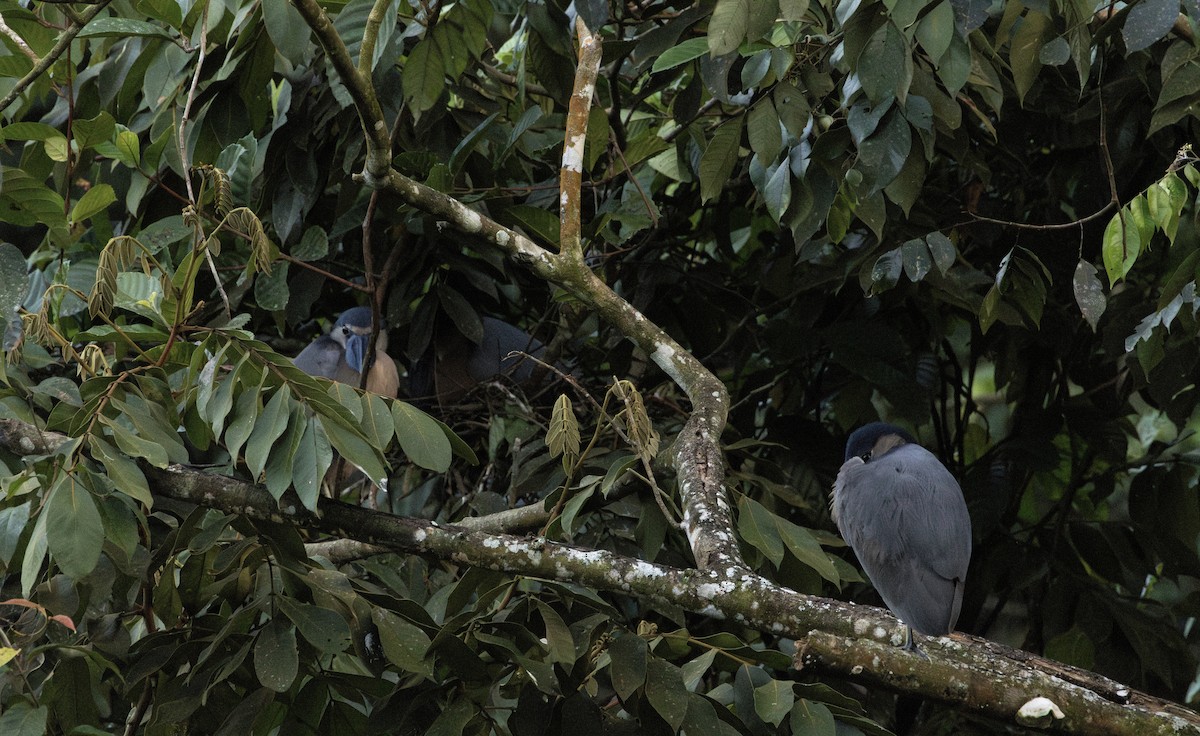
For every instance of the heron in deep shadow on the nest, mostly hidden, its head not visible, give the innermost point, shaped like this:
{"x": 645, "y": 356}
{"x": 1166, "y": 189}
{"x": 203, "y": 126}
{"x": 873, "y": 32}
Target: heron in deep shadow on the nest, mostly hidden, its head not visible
{"x": 455, "y": 366}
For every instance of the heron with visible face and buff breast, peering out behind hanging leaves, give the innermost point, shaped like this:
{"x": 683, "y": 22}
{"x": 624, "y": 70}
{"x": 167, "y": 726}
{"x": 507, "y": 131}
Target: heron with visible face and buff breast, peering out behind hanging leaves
{"x": 341, "y": 355}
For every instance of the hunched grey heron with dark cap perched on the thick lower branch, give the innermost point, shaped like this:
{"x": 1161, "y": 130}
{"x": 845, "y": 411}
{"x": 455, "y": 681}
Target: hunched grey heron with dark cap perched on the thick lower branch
{"x": 903, "y": 514}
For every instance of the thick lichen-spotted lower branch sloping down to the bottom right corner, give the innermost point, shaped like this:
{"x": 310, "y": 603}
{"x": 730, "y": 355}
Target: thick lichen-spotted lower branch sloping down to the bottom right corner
{"x": 857, "y": 643}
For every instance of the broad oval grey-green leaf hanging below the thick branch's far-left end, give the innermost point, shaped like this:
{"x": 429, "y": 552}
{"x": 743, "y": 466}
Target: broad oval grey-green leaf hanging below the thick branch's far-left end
{"x": 76, "y": 534}
